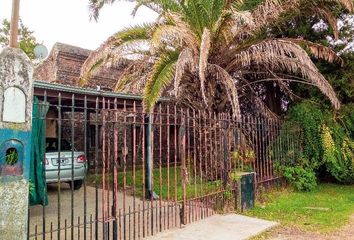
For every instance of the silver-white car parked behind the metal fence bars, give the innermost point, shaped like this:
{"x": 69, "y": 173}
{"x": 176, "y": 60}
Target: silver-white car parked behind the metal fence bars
{"x": 68, "y": 172}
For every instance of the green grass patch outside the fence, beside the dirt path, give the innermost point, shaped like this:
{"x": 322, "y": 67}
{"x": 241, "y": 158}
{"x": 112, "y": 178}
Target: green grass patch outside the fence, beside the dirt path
{"x": 326, "y": 209}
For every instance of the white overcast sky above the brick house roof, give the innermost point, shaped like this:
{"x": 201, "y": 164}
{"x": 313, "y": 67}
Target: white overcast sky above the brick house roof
{"x": 67, "y": 21}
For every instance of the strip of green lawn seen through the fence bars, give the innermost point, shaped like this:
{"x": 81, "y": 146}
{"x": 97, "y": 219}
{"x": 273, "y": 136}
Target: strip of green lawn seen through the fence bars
{"x": 193, "y": 188}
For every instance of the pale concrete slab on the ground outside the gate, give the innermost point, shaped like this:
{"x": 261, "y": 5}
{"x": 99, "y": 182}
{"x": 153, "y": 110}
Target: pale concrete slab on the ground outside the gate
{"x": 235, "y": 227}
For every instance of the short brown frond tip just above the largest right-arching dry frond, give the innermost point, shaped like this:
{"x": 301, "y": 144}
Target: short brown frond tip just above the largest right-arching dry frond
{"x": 319, "y": 51}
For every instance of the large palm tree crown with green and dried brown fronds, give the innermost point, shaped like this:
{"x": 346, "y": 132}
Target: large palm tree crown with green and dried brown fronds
{"x": 203, "y": 52}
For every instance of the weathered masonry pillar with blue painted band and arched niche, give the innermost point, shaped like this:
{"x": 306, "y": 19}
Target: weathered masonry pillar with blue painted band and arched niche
{"x": 16, "y": 98}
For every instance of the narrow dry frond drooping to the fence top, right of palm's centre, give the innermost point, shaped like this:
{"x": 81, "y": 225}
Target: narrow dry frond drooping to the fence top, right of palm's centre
{"x": 224, "y": 77}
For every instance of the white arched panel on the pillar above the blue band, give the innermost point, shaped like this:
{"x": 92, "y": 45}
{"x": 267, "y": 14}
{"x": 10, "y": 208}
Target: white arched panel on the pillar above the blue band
{"x": 14, "y": 108}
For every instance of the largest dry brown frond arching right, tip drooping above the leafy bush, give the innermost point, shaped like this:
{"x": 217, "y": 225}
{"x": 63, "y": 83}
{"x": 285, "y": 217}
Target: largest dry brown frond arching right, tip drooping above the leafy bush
{"x": 287, "y": 56}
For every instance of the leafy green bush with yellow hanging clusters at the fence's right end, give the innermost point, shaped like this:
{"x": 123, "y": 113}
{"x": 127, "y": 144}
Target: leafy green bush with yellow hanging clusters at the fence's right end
{"x": 325, "y": 148}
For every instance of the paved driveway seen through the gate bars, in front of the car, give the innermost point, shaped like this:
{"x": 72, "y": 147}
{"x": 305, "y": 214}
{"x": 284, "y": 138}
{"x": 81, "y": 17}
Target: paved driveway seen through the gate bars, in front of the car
{"x": 59, "y": 209}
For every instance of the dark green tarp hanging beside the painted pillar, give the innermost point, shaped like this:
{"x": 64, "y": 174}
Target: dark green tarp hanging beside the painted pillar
{"x": 38, "y": 187}
